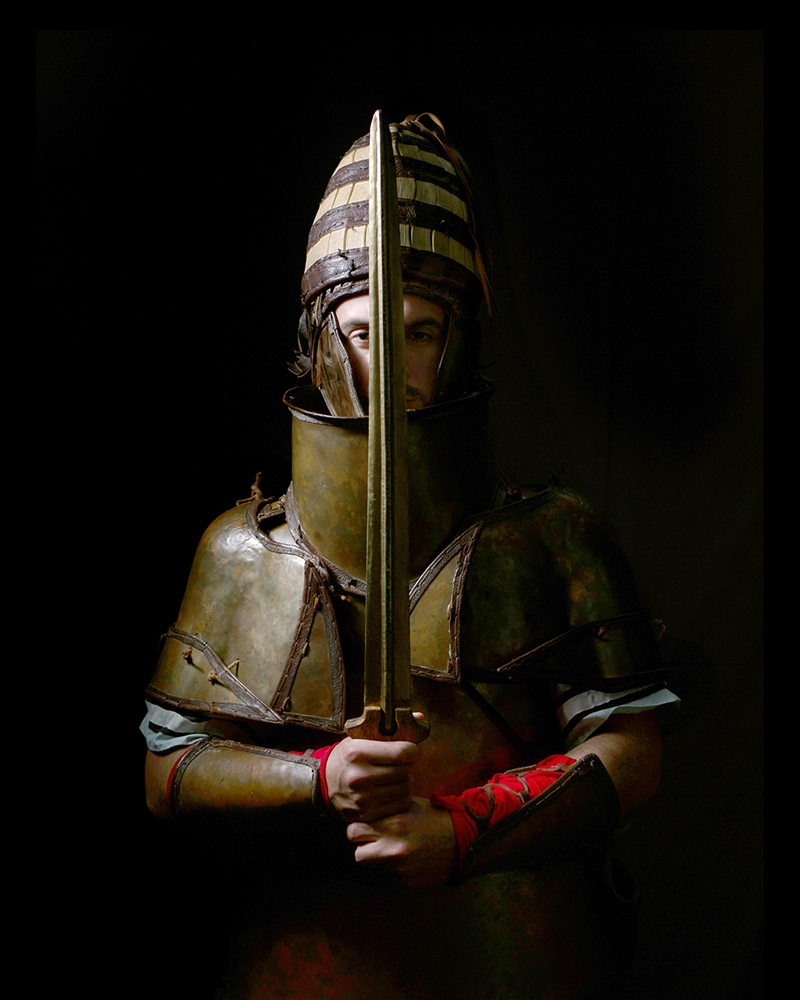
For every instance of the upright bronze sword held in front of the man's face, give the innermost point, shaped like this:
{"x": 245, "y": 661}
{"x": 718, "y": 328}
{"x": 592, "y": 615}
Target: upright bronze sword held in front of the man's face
{"x": 387, "y": 711}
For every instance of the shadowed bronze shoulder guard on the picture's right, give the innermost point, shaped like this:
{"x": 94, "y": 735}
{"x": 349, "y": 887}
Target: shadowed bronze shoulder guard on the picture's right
{"x": 539, "y": 588}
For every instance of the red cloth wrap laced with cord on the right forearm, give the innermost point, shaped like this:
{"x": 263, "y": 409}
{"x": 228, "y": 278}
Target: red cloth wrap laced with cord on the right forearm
{"x": 500, "y": 797}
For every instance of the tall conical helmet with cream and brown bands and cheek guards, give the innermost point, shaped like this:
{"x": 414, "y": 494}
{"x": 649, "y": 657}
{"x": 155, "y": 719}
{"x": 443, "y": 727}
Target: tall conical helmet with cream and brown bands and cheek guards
{"x": 442, "y": 253}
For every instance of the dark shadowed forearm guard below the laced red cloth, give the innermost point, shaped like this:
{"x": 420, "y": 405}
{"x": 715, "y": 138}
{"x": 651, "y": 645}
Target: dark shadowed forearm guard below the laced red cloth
{"x": 570, "y": 820}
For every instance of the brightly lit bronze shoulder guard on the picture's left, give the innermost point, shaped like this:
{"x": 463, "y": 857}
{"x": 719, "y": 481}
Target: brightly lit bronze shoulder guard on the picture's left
{"x": 256, "y": 637}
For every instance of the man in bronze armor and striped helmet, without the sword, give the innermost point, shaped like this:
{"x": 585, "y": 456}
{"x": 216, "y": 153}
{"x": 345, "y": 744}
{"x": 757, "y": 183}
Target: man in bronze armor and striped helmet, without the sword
{"x": 476, "y": 864}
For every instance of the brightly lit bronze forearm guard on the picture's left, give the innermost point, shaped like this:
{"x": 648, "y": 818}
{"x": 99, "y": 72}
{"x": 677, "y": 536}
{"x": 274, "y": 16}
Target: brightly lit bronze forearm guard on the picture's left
{"x": 235, "y": 779}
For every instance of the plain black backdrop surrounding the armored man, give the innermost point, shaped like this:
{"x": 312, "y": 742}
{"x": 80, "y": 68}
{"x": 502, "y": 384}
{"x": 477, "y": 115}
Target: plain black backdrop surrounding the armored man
{"x": 621, "y": 178}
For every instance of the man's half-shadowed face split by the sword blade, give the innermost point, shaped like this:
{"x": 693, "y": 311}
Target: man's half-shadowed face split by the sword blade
{"x": 425, "y": 334}
